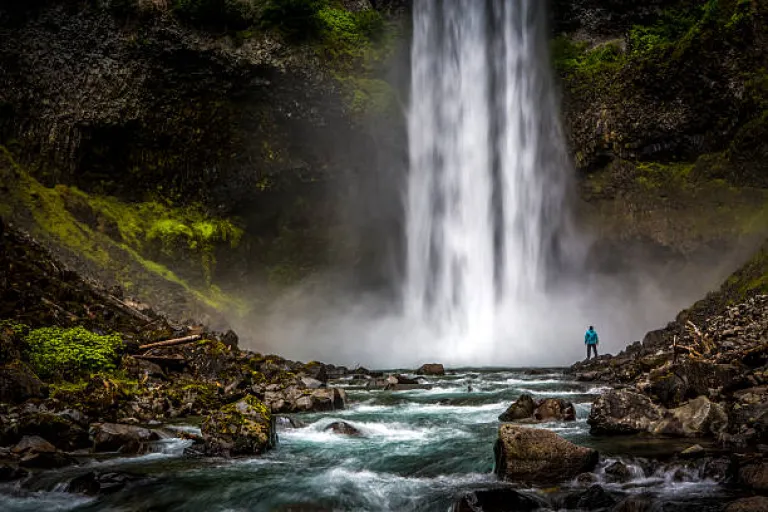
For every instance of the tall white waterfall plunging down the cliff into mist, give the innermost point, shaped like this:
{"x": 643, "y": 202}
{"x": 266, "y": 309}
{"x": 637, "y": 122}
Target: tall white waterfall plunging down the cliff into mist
{"x": 488, "y": 170}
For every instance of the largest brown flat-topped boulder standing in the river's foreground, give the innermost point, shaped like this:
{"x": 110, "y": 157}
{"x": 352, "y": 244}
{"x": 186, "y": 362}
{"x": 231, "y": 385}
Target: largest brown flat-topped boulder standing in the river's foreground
{"x": 537, "y": 456}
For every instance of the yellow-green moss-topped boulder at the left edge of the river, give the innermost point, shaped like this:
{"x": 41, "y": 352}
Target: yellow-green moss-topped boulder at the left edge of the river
{"x": 244, "y": 428}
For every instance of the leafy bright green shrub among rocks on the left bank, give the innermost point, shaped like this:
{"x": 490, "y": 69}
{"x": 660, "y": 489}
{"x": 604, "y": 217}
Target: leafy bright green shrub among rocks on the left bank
{"x": 60, "y": 353}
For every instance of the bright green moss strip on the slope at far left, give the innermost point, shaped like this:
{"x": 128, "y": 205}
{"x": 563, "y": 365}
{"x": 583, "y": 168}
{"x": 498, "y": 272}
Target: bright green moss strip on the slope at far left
{"x": 111, "y": 233}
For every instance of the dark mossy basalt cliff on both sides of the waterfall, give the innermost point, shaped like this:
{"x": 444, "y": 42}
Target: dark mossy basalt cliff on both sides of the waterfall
{"x": 202, "y": 154}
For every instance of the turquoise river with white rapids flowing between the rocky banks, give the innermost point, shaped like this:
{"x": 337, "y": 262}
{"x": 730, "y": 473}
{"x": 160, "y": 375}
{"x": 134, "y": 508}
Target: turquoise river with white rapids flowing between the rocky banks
{"x": 419, "y": 450}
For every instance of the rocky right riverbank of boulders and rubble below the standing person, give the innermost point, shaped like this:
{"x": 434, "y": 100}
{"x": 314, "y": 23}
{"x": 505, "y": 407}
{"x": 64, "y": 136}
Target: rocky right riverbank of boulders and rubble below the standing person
{"x": 703, "y": 377}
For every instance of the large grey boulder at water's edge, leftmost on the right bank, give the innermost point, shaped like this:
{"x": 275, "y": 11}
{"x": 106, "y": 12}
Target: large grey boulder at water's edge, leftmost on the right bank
{"x": 624, "y": 411}
